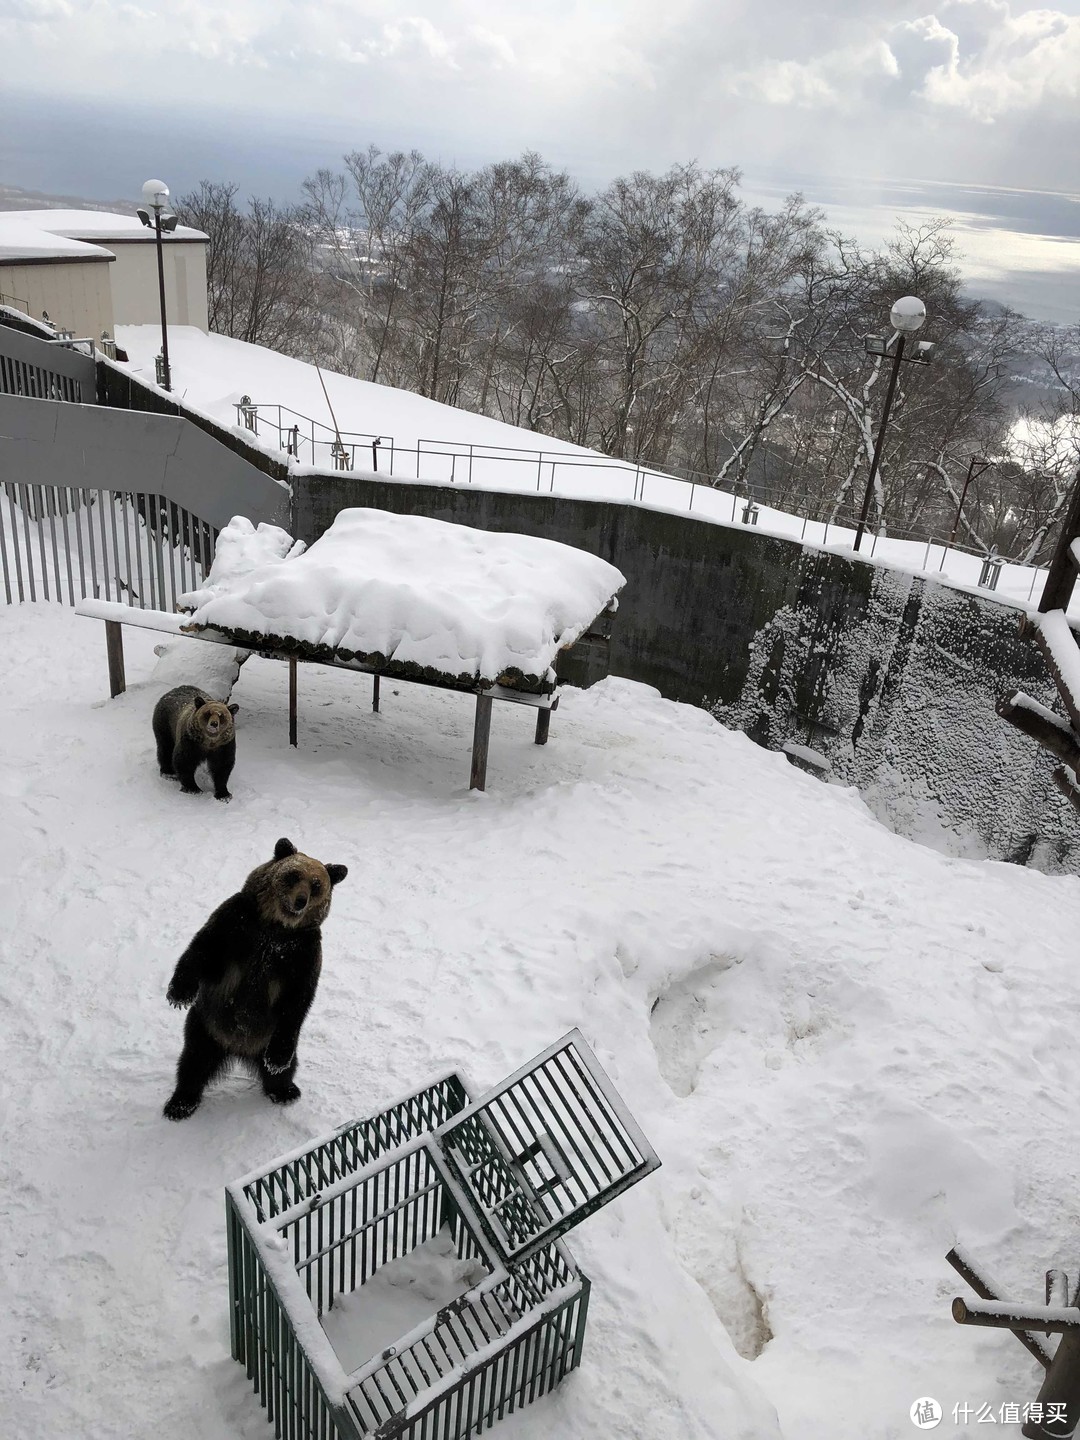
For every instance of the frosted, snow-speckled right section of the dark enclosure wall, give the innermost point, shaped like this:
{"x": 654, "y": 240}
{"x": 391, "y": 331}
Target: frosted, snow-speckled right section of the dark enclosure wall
{"x": 895, "y": 680}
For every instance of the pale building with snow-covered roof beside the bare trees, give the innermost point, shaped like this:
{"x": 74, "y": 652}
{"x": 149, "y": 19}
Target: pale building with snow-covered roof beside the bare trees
{"x": 91, "y": 271}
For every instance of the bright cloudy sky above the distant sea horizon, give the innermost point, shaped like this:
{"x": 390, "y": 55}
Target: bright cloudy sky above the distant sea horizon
{"x": 601, "y": 87}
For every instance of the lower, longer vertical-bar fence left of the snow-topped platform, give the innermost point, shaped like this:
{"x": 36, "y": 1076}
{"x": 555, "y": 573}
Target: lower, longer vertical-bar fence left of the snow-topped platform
{"x": 66, "y": 544}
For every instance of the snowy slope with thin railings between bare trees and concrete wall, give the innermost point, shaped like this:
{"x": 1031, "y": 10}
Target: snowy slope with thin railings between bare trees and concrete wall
{"x": 212, "y": 374}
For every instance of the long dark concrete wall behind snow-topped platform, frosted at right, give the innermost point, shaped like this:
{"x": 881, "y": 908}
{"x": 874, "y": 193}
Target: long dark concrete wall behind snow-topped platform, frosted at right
{"x": 892, "y": 676}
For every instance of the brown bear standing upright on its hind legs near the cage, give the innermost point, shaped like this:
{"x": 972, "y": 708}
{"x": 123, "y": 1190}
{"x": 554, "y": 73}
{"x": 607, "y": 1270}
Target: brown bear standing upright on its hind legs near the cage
{"x": 251, "y": 976}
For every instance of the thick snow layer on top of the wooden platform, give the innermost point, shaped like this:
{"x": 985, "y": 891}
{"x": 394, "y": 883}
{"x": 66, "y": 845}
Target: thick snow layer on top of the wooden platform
{"x": 411, "y": 591}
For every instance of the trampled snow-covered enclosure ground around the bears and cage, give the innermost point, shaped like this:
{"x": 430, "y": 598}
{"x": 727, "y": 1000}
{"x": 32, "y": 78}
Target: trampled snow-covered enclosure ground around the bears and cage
{"x": 849, "y": 1050}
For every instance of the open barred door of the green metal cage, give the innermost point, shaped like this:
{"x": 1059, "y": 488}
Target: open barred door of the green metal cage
{"x": 545, "y": 1150}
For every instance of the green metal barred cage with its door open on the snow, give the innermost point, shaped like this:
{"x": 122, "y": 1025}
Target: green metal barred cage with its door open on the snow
{"x": 503, "y": 1179}
